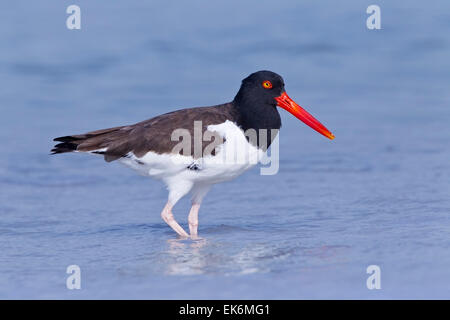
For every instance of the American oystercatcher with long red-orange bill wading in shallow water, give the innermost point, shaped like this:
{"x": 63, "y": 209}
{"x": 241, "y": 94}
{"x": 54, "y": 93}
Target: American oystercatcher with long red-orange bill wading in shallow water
{"x": 210, "y": 135}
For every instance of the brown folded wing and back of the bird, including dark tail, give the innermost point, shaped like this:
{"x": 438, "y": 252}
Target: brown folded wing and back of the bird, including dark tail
{"x": 149, "y": 135}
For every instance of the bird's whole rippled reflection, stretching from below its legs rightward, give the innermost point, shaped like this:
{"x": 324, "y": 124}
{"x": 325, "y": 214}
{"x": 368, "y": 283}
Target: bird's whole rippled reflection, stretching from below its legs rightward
{"x": 219, "y": 256}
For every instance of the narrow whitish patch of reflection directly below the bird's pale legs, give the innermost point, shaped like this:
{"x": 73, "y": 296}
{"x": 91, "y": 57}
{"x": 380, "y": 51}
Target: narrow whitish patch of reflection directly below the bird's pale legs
{"x": 186, "y": 257}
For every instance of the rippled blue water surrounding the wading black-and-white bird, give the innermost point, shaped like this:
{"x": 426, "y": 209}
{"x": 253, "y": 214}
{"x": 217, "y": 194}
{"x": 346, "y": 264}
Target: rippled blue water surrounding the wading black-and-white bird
{"x": 378, "y": 194}
